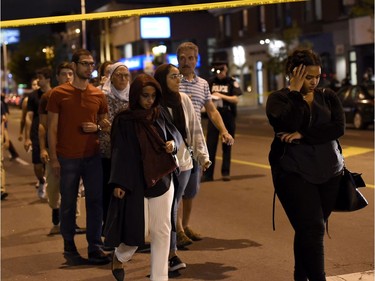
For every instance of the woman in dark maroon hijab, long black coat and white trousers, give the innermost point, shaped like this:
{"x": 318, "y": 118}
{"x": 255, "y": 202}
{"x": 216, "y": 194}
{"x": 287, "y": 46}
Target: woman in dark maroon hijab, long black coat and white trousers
{"x": 143, "y": 144}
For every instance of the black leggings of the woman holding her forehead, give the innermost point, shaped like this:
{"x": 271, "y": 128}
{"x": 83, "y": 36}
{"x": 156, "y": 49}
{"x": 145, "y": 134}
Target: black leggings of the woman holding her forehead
{"x": 308, "y": 207}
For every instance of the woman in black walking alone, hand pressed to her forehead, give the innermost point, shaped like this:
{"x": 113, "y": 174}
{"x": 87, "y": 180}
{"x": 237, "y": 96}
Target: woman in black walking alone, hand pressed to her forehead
{"x": 305, "y": 159}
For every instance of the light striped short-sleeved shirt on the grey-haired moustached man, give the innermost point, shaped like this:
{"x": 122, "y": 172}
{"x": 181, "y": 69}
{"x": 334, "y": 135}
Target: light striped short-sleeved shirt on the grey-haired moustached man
{"x": 199, "y": 92}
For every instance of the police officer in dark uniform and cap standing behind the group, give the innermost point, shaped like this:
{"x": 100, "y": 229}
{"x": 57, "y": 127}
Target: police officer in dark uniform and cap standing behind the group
{"x": 225, "y": 91}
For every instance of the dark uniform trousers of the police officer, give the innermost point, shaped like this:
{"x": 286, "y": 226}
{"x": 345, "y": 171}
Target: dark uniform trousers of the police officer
{"x": 212, "y": 142}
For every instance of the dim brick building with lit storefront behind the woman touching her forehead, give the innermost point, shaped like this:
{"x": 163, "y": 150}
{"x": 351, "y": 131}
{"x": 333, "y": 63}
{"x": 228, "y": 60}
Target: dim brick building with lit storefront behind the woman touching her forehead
{"x": 264, "y": 34}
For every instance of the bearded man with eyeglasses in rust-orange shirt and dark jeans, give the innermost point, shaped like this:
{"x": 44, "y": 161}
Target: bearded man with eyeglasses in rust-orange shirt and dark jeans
{"x": 77, "y": 111}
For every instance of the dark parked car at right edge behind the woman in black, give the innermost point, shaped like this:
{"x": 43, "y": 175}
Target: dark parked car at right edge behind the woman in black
{"x": 358, "y": 104}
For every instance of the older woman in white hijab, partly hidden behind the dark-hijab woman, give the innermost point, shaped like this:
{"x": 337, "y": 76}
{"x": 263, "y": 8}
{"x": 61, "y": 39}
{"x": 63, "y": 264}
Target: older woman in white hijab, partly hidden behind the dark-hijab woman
{"x": 116, "y": 89}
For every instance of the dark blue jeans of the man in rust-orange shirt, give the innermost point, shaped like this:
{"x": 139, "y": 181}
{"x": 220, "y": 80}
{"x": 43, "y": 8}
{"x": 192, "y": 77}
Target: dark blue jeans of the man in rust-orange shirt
{"x": 90, "y": 170}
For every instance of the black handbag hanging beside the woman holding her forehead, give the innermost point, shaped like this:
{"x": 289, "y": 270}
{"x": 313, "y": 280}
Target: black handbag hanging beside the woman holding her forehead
{"x": 349, "y": 198}
